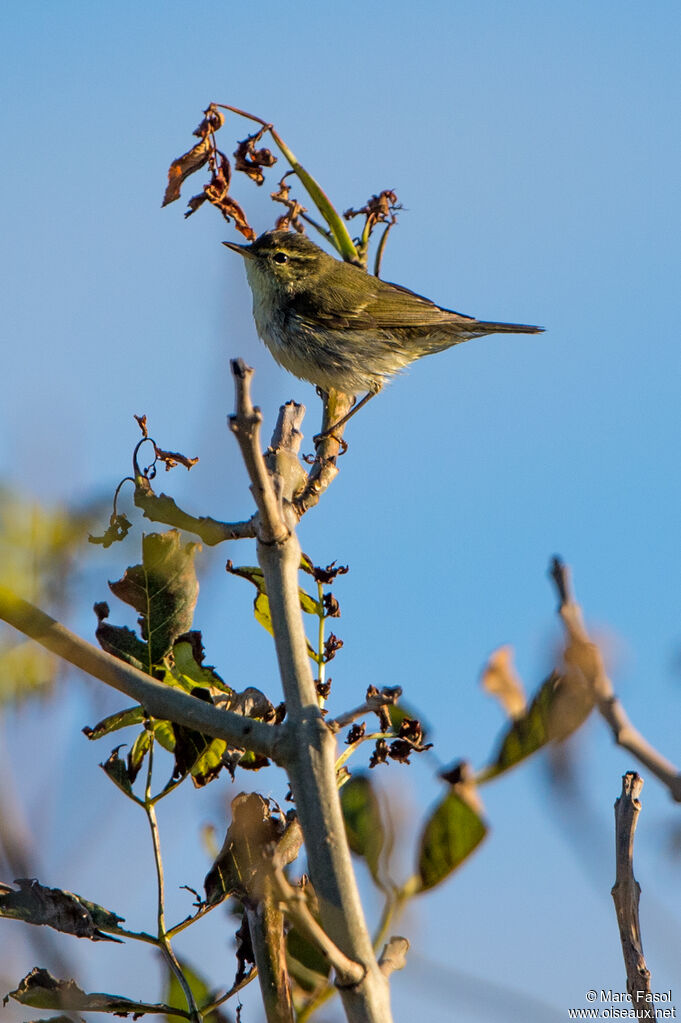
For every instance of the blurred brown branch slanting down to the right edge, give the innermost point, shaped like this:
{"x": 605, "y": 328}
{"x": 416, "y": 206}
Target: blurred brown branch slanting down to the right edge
{"x": 585, "y": 656}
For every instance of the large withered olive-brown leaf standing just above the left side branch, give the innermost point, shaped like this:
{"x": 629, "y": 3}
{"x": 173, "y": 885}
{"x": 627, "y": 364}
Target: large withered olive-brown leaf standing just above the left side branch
{"x": 164, "y": 590}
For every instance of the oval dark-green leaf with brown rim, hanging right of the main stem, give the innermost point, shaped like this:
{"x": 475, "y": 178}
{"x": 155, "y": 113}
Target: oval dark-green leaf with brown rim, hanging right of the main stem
{"x": 452, "y": 832}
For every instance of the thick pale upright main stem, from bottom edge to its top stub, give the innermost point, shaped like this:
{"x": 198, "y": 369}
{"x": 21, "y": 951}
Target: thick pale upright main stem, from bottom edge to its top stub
{"x": 307, "y": 745}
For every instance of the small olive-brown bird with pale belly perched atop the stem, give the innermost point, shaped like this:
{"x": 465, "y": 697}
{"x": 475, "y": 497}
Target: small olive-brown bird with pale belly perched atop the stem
{"x": 338, "y": 327}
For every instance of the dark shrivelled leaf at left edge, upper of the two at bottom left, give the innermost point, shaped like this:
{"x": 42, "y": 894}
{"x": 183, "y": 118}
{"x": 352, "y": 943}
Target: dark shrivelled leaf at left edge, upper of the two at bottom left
{"x": 34, "y": 904}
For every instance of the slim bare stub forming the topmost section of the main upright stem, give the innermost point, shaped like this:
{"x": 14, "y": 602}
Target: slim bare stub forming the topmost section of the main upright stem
{"x": 246, "y": 427}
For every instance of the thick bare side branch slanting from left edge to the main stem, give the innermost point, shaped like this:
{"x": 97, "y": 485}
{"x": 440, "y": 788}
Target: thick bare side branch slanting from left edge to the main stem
{"x": 160, "y": 701}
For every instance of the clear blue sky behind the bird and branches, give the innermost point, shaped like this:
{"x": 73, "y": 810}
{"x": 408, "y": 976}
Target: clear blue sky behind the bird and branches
{"x": 536, "y": 151}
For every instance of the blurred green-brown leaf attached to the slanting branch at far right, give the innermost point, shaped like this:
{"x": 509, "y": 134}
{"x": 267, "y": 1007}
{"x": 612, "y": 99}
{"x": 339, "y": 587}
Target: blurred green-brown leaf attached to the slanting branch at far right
{"x": 560, "y": 707}
